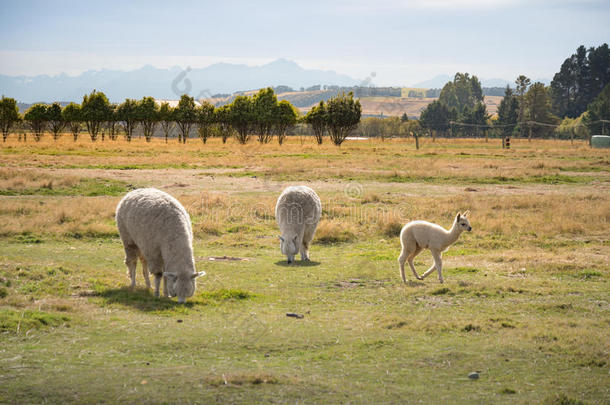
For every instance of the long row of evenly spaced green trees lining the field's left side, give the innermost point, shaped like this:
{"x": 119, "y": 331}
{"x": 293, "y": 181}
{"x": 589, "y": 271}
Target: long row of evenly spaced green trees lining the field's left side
{"x": 259, "y": 115}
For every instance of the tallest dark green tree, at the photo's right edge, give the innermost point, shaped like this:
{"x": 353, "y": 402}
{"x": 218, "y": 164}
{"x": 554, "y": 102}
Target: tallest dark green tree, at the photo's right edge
{"x": 581, "y": 78}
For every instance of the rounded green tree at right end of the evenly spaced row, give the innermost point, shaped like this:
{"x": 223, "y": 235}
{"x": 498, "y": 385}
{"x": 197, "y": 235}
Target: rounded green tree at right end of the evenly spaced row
{"x": 343, "y": 116}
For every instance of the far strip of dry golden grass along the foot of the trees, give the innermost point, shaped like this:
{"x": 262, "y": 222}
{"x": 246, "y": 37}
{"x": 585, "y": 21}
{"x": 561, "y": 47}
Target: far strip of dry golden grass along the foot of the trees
{"x": 445, "y": 159}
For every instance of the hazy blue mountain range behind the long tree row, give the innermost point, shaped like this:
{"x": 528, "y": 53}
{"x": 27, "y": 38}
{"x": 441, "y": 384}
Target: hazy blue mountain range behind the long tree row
{"x": 168, "y": 83}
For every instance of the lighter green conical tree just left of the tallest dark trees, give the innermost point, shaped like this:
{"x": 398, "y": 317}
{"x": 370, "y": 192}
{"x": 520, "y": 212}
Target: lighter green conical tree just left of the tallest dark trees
{"x": 539, "y": 111}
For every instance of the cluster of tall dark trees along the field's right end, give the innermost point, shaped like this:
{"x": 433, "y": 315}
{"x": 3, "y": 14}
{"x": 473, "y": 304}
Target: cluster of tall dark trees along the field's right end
{"x": 578, "y": 90}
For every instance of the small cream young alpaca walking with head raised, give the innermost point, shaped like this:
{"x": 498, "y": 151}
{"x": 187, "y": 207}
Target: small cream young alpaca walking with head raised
{"x": 418, "y": 235}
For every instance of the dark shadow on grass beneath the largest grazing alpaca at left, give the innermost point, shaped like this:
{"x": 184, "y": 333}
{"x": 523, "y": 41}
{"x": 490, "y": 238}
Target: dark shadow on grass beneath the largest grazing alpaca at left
{"x": 141, "y": 299}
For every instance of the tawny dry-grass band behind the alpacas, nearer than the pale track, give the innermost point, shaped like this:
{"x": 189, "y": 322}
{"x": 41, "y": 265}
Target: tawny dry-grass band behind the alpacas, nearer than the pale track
{"x": 508, "y": 216}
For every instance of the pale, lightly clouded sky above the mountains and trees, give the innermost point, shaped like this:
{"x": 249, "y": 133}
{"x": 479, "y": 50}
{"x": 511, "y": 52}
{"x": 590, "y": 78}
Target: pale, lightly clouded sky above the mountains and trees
{"x": 403, "y": 42}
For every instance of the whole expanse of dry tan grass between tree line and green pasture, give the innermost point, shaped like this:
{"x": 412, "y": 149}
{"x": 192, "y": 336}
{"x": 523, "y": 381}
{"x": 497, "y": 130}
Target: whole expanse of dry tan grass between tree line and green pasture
{"x": 246, "y": 205}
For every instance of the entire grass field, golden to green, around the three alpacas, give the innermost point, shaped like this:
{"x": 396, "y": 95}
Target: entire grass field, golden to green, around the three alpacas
{"x": 525, "y": 303}
